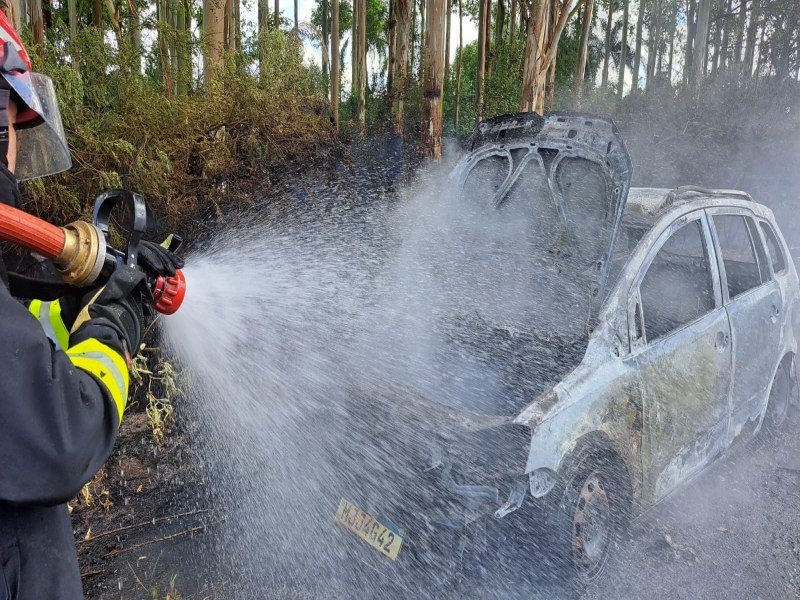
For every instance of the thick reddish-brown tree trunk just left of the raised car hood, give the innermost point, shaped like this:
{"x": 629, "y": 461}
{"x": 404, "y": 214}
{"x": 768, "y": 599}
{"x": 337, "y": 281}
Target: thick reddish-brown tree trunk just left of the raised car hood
{"x": 431, "y": 141}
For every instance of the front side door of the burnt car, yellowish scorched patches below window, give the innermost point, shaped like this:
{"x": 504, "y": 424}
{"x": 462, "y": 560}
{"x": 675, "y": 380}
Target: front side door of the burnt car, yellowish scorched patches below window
{"x": 680, "y": 347}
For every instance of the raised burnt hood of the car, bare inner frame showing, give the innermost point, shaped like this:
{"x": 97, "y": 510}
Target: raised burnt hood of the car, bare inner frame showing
{"x": 564, "y": 177}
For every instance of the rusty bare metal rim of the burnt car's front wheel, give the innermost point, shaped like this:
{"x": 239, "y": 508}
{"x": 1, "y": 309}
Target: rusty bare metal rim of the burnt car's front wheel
{"x": 591, "y": 527}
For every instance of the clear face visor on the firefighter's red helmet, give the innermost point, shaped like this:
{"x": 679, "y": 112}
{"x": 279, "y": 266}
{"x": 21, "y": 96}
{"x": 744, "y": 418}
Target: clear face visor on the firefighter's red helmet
{"x": 41, "y": 144}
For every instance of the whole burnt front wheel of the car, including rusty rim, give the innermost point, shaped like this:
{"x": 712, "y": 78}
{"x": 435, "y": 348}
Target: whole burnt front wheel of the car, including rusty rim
{"x": 592, "y": 514}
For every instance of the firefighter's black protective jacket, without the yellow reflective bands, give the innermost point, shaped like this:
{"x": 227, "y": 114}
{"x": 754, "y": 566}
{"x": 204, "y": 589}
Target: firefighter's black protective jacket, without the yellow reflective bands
{"x": 58, "y": 424}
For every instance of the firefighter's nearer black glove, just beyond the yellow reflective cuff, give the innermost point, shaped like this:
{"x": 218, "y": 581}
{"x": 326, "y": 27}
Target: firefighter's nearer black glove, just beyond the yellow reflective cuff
{"x": 117, "y": 308}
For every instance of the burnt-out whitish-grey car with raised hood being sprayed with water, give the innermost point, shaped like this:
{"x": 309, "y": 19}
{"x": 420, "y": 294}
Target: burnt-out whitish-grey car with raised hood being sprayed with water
{"x": 631, "y": 336}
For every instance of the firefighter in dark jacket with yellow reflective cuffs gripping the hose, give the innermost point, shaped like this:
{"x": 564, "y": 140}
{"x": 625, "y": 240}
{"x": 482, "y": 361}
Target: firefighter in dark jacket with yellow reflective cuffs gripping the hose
{"x": 63, "y": 378}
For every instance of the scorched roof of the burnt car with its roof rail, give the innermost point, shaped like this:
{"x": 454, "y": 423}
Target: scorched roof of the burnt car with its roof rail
{"x": 646, "y": 205}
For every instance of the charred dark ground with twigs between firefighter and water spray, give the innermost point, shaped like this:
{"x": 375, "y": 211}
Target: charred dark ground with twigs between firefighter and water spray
{"x": 148, "y": 510}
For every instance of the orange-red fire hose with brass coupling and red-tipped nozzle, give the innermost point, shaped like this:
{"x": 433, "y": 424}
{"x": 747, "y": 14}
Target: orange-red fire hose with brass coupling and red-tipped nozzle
{"x": 82, "y": 252}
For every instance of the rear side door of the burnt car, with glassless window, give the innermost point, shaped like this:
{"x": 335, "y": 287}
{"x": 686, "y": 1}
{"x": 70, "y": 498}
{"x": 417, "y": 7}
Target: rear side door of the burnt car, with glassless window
{"x": 753, "y": 301}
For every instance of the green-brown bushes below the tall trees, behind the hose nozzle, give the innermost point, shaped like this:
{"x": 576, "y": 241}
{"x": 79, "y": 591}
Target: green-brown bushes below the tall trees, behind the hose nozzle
{"x": 179, "y": 152}
